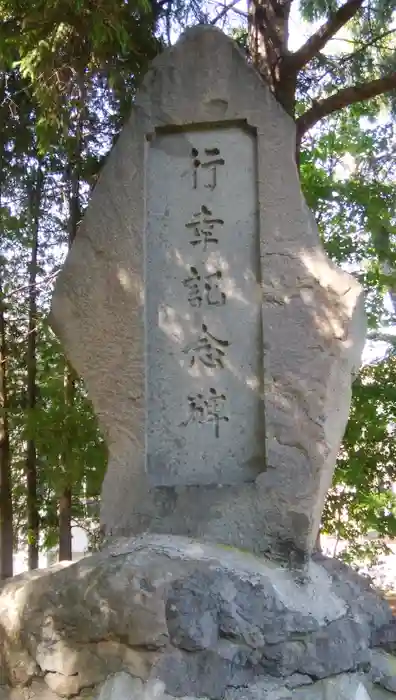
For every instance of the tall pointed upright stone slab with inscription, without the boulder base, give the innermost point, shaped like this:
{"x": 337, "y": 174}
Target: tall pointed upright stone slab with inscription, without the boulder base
{"x": 215, "y": 338}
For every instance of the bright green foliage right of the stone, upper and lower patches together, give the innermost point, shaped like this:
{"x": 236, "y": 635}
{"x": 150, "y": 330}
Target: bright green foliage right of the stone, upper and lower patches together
{"x": 355, "y": 209}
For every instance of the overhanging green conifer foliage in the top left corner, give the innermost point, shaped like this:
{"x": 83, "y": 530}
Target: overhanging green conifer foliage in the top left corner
{"x": 57, "y": 45}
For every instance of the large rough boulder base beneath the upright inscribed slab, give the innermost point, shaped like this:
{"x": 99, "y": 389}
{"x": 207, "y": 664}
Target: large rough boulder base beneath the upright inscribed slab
{"x": 168, "y": 616}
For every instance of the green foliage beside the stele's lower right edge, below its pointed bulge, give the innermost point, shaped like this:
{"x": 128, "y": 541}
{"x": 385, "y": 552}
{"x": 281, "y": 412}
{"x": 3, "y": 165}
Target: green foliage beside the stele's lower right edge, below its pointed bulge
{"x": 363, "y": 500}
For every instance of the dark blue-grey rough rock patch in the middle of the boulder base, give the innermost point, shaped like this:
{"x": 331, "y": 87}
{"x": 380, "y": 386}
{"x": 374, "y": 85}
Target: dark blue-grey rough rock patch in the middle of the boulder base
{"x": 205, "y": 605}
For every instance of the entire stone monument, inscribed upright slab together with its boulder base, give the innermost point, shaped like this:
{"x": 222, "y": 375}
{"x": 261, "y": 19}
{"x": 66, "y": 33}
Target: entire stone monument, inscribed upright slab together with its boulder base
{"x": 217, "y": 342}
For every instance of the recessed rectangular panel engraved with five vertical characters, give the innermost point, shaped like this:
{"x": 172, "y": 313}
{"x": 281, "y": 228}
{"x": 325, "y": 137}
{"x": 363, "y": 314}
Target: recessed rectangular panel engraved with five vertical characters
{"x": 203, "y": 310}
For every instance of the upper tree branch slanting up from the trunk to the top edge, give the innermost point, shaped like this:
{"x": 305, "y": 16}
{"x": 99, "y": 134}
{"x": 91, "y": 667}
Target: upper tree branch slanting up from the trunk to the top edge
{"x": 297, "y": 60}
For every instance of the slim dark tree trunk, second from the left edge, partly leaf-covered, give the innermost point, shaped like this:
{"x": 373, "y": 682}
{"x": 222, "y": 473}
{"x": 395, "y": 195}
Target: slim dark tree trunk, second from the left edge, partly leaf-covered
{"x": 33, "y": 521}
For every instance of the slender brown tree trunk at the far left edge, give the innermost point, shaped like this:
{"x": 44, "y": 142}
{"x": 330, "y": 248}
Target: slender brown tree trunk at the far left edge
{"x": 6, "y": 511}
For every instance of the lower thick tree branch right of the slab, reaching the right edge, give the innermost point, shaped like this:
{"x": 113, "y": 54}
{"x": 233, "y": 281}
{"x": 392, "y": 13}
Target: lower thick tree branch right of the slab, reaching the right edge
{"x": 344, "y": 98}
